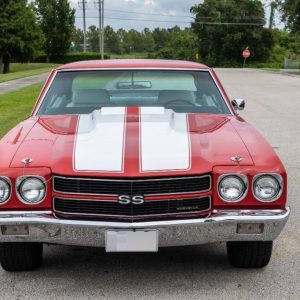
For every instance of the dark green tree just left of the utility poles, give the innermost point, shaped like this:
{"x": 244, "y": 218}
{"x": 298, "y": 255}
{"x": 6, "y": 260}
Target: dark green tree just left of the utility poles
{"x": 56, "y": 19}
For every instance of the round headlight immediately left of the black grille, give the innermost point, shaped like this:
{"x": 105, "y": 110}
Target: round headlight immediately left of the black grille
{"x": 32, "y": 190}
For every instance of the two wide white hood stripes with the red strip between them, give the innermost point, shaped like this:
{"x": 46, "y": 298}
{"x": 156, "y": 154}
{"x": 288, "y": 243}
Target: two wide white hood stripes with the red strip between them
{"x": 149, "y": 139}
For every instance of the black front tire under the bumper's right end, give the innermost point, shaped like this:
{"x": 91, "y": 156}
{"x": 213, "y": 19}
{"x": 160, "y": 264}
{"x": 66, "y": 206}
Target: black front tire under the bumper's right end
{"x": 249, "y": 254}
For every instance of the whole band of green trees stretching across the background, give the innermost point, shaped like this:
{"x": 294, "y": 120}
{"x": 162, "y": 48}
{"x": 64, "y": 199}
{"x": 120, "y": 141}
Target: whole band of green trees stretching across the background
{"x": 217, "y": 35}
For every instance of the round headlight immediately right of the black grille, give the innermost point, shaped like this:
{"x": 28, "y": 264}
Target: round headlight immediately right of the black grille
{"x": 232, "y": 188}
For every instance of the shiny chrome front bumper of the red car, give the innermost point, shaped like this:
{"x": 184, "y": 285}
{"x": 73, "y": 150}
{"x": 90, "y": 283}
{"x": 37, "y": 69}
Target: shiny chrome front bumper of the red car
{"x": 220, "y": 226}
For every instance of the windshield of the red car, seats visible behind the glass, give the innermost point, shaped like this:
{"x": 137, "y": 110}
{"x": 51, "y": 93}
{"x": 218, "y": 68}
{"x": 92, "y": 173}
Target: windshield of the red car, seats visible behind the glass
{"x": 81, "y": 92}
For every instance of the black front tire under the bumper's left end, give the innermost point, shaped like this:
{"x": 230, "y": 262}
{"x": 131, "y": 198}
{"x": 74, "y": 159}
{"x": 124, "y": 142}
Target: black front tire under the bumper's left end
{"x": 21, "y": 256}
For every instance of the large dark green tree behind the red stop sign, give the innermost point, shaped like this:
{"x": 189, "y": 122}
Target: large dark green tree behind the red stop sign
{"x": 223, "y": 43}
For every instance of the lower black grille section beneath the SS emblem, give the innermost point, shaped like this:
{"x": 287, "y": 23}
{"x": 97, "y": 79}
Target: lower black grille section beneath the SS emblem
{"x": 147, "y": 209}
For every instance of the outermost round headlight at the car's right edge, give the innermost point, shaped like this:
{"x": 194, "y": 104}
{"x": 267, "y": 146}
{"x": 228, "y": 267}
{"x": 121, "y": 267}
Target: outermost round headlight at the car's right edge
{"x": 266, "y": 188}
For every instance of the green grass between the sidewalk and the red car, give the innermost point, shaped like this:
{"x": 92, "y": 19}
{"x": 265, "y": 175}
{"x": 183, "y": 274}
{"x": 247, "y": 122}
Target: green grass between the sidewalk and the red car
{"x": 16, "y": 106}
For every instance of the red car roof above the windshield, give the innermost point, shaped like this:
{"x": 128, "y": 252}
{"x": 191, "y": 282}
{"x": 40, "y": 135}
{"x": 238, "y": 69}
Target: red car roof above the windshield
{"x": 133, "y": 63}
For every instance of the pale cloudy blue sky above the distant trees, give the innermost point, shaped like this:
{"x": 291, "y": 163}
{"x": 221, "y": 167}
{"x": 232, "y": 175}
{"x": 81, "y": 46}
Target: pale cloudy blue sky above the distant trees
{"x": 139, "y": 14}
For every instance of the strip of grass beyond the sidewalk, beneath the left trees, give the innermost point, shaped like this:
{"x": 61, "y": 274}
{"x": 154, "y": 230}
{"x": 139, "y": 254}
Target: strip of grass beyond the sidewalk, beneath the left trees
{"x": 24, "y": 70}
